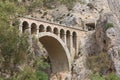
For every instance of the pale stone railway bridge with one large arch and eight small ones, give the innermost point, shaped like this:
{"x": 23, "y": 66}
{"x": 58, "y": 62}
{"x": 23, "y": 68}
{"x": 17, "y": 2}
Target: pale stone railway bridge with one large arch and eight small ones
{"x": 61, "y": 42}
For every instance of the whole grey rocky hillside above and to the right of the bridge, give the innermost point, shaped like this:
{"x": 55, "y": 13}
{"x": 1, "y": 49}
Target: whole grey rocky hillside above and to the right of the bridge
{"x": 101, "y": 21}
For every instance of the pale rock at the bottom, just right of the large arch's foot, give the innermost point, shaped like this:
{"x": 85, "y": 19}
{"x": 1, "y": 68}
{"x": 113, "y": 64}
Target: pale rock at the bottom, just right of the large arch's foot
{"x": 79, "y": 71}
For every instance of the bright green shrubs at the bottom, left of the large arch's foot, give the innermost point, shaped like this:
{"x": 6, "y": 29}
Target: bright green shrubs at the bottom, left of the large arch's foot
{"x": 28, "y": 73}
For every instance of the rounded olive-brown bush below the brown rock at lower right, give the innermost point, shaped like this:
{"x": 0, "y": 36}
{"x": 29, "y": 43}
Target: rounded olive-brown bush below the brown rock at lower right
{"x": 100, "y": 63}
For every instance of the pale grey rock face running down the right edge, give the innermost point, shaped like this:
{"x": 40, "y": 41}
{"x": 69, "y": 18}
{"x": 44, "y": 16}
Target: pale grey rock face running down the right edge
{"x": 114, "y": 33}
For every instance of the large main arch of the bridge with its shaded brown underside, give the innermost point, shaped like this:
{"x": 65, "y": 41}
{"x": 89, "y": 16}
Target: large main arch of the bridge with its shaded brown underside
{"x": 57, "y": 51}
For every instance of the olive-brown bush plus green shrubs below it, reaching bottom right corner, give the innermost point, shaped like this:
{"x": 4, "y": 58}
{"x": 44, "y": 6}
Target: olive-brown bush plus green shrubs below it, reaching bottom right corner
{"x": 101, "y": 67}
